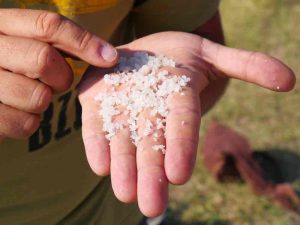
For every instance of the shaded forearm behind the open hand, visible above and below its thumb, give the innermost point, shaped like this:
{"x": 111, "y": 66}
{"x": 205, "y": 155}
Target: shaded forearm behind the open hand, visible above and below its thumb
{"x": 213, "y": 31}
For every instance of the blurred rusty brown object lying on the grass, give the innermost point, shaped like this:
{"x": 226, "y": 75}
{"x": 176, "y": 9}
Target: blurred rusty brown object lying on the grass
{"x": 228, "y": 157}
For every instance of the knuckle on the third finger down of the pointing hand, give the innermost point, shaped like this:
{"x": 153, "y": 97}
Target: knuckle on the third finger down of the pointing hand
{"x": 41, "y": 97}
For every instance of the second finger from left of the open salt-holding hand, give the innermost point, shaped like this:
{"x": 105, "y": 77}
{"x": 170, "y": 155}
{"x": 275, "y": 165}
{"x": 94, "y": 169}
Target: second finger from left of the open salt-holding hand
{"x": 123, "y": 166}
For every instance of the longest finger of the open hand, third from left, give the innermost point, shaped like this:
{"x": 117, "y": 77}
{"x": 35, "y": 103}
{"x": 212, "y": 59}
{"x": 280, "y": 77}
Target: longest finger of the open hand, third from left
{"x": 152, "y": 181}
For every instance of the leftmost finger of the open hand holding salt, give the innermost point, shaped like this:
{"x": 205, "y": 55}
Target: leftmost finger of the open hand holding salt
{"x": 96, "y": 145}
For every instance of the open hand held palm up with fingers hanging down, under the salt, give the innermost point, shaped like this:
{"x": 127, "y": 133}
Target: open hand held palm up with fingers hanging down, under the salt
{"x": 145, "y": 175}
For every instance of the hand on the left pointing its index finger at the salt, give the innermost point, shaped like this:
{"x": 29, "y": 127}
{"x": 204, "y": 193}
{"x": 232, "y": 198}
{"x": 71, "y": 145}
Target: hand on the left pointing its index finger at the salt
{"x": 32, "y": 67}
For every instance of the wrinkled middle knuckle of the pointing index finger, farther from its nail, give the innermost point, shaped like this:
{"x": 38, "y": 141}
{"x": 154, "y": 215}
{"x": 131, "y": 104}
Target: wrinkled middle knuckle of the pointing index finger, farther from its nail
{"x": 47, "y": 24}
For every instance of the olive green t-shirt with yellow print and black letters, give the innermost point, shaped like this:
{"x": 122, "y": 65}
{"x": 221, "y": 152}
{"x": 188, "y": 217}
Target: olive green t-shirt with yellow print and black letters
{"x": 46, "y": 179}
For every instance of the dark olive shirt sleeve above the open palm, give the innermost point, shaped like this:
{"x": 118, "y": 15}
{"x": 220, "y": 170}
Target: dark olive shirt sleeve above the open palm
{"x": 172, "y": 15}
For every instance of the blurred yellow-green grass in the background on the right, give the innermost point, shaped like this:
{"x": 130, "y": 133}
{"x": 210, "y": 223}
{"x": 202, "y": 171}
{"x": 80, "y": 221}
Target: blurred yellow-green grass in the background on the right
{"x": 270, "y": 120}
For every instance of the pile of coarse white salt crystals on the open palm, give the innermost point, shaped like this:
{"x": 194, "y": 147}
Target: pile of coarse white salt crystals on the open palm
{"x": 142, "y": 85}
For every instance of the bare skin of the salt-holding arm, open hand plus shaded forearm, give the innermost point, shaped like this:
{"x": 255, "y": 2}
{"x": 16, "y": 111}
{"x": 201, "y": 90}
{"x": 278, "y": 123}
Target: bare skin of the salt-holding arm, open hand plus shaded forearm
{"x": 216, "y": 65}
